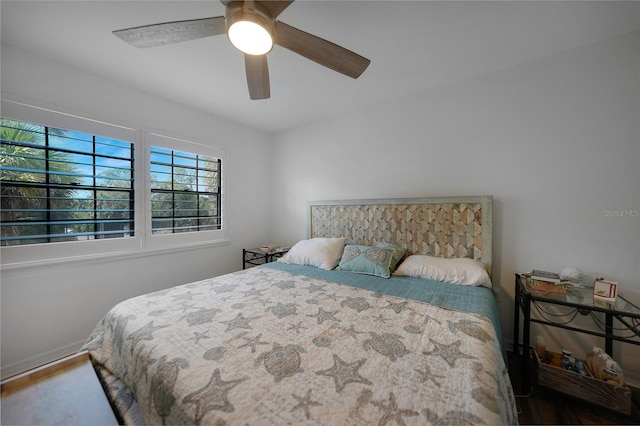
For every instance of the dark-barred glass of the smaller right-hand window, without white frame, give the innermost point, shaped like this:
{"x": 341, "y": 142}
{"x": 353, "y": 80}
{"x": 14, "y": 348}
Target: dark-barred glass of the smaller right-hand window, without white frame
{"x": 185, "y": 192}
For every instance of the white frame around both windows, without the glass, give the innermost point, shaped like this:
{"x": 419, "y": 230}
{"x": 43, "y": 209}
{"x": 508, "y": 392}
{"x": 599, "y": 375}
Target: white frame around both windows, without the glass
{"x": 143, "y": 242}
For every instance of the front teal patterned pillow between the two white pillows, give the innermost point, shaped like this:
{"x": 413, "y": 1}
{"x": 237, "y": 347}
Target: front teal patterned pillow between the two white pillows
{"x": 367, "y": 260}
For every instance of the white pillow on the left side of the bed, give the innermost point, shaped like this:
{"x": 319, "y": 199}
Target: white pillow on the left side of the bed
{"x": 322, "y": 253}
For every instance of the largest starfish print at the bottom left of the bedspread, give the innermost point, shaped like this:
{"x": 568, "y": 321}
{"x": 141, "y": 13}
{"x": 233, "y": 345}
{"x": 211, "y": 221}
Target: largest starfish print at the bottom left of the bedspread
{"x": 213, "y": 396}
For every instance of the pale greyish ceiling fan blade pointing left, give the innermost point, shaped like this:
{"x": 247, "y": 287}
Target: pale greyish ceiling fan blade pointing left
{"x": 172, "y": 32}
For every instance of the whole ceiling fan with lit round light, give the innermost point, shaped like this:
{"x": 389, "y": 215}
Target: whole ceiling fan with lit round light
{"x": 252, "y": 28}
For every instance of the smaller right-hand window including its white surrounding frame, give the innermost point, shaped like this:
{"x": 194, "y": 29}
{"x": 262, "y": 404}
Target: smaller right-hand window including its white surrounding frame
{"x": 185, "y": 189}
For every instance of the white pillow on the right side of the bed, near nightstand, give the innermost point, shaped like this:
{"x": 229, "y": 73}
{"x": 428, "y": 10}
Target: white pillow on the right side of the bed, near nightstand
{"x": 456, "y": 271}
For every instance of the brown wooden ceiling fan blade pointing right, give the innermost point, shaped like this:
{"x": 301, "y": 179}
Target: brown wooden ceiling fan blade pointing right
{"x": 321, "y": 51}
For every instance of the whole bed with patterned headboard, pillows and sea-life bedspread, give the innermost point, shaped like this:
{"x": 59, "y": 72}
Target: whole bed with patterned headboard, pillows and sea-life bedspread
{"x": 299, "y": 341}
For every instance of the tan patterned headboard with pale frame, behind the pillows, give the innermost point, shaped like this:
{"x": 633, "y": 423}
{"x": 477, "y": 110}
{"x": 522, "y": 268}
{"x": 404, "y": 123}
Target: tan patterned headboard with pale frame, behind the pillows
{"x": 442, "y": 226}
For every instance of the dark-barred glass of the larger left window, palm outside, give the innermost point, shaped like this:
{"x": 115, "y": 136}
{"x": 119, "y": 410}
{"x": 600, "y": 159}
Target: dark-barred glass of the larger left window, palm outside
{"x": 60, "y": 185}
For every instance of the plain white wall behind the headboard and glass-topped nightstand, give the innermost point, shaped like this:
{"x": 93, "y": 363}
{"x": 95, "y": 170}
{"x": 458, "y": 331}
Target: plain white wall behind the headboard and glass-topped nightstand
{"x": 556, "y": 141}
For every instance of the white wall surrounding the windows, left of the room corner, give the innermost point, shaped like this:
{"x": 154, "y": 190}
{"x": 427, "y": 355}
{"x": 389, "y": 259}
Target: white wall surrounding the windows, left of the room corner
{"x": 48, "y": 312}
